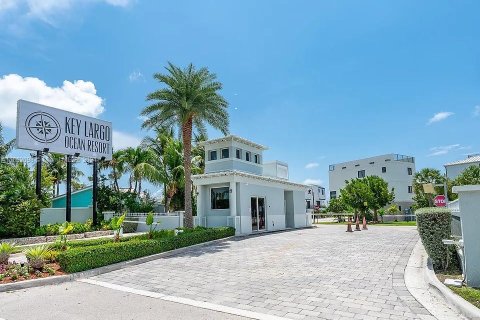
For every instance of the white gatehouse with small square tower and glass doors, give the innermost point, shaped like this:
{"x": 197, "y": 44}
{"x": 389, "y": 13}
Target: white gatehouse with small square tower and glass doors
{"x": 238, "y": 190}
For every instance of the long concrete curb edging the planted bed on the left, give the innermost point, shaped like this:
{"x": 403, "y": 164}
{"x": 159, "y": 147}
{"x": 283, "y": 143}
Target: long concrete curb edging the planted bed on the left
{"x": 94, "y": 272}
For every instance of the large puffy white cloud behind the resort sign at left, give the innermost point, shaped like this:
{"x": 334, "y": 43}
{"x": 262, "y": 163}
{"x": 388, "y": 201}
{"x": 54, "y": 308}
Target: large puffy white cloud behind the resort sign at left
{"x": 78, "y": 96}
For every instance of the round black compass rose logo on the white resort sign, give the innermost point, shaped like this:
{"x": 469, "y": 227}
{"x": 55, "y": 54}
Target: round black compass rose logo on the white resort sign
{"x": 42, "y": 127}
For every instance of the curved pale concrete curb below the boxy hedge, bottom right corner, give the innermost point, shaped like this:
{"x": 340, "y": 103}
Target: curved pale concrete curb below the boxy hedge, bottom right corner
{"x": 466, "y": 308}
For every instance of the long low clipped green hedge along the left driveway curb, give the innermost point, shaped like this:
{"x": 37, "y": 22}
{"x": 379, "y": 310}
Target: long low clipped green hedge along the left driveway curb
{"x": 78, "y": 259}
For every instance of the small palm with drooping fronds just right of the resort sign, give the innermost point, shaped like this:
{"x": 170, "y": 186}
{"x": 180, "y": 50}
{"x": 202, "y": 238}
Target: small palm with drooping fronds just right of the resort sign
{"x": 139, "y": 162}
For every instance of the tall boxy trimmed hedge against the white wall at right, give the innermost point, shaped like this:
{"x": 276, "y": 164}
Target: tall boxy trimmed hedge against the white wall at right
{"x": 433, "y": 226}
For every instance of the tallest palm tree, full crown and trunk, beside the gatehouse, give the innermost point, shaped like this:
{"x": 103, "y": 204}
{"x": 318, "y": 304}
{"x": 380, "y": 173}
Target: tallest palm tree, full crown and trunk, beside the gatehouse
{"x": 189, "y": 100}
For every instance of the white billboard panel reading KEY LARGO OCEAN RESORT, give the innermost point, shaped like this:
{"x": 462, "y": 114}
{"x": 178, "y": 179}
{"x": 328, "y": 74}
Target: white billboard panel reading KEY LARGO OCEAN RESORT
{"x": 40, "y": 127}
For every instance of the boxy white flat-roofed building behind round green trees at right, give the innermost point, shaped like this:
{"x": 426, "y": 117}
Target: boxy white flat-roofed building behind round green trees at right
{"x": 397, "y": 170}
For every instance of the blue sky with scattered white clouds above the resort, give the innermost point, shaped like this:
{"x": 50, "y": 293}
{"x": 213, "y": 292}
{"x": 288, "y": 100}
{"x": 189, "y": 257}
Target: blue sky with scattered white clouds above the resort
{"x": 318, "y": 82}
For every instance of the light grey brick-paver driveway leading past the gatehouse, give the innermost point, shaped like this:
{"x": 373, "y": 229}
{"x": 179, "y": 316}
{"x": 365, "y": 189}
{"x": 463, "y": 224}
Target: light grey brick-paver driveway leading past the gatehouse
{"x": 316, "y": 273}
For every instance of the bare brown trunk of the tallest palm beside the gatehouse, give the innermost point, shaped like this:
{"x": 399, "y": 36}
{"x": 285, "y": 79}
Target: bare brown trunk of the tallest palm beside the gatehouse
{"x": 187, "y": 164}
